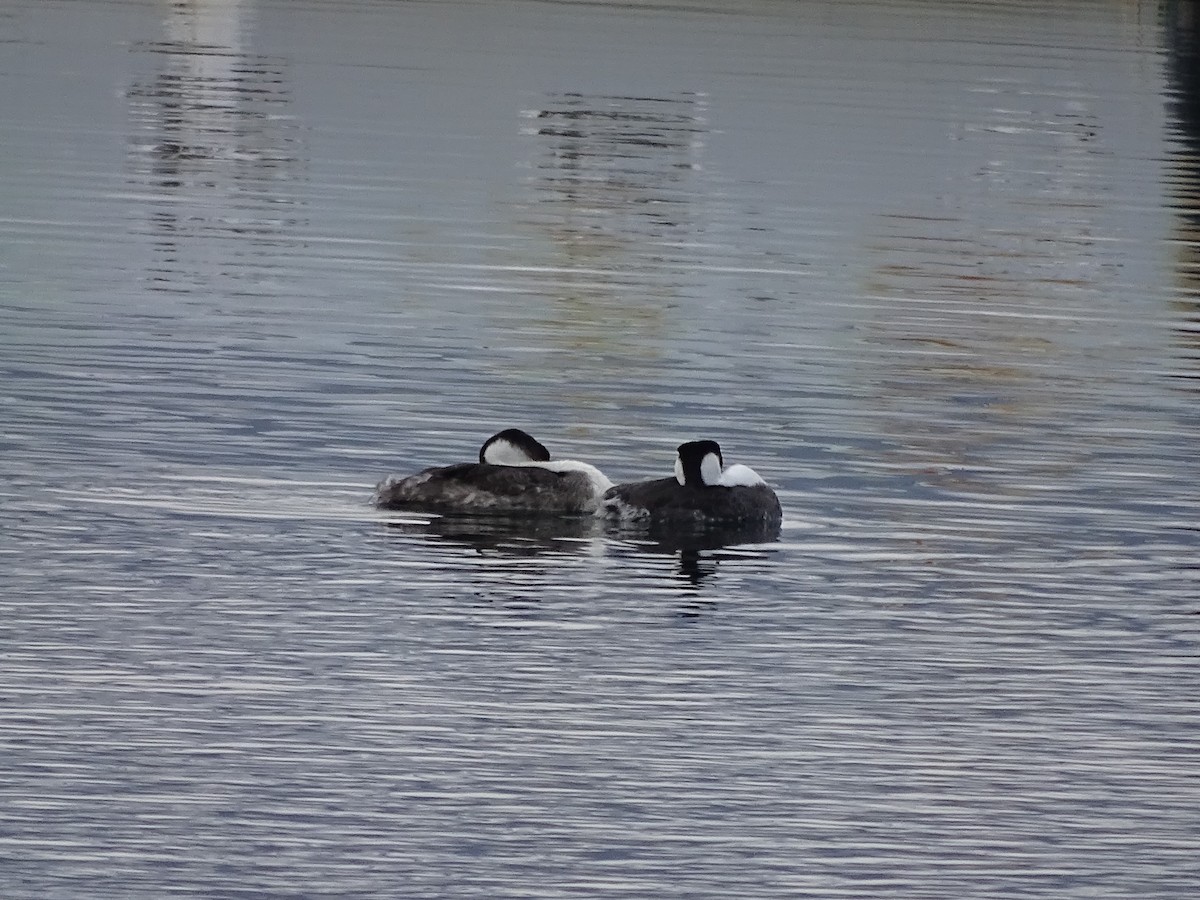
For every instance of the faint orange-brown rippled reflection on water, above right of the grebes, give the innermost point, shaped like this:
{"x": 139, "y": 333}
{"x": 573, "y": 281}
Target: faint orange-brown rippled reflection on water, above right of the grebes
{"x": 979, "y": 298}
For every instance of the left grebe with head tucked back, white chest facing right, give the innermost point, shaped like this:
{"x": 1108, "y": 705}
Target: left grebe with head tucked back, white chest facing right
{"x": 514, "y": 476}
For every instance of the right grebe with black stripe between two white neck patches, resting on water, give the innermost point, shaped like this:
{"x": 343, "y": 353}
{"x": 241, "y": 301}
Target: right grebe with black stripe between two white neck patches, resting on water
{"x": 703, "y": 493}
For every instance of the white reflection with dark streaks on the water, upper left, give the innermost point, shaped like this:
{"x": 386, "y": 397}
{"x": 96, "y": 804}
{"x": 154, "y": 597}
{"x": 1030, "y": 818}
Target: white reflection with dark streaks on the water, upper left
{"x": 212, "y": 147}
